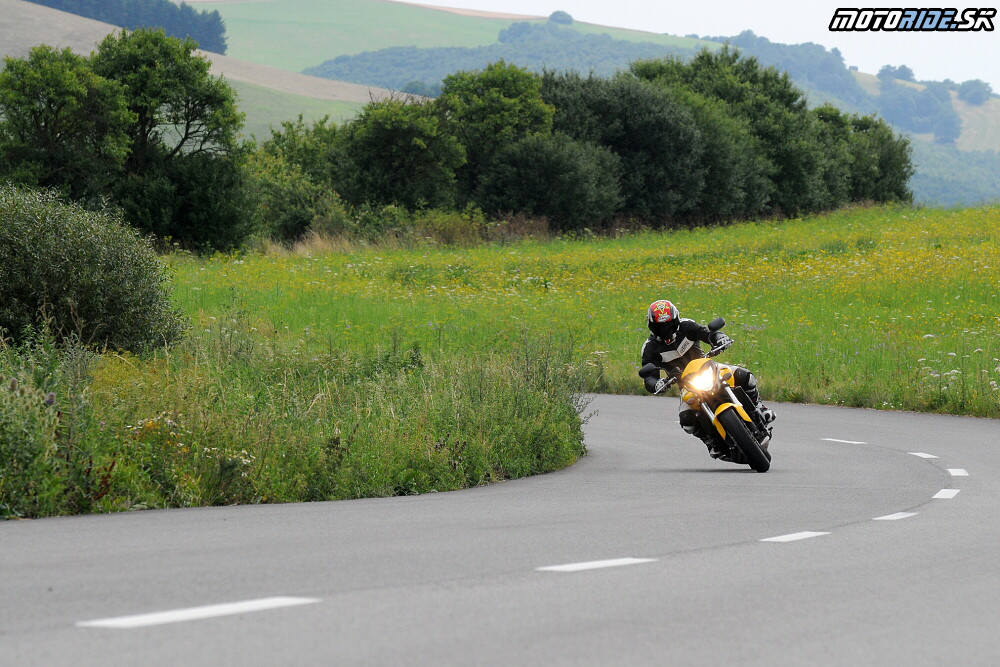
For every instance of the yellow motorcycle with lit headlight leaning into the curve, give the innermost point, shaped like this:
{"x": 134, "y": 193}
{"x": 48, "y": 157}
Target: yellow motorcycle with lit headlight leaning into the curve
{"x": 710, "y": 388}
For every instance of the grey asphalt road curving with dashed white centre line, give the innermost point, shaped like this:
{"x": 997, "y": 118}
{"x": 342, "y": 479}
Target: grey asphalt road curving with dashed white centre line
{"x": 664, "y": 550}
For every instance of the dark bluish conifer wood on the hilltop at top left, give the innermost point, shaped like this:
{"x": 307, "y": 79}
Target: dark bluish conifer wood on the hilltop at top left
{"x": 181, "y": 21}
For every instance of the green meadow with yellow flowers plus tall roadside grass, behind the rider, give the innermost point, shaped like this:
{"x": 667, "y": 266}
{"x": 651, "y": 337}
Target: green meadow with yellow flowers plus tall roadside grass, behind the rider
{"x": 336, "y": 370}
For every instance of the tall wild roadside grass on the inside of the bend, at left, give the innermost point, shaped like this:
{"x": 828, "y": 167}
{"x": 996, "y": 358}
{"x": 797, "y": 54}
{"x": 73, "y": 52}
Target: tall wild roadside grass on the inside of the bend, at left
{"x": 236, "y": 415}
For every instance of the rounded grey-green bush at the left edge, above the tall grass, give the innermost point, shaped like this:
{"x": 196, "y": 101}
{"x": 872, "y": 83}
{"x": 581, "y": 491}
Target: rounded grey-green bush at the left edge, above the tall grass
{"x": 80, "y": 272}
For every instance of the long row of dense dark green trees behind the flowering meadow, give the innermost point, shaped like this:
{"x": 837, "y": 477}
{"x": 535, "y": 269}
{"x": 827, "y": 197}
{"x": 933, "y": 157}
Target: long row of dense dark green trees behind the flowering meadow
{"x": 667, "y": 143}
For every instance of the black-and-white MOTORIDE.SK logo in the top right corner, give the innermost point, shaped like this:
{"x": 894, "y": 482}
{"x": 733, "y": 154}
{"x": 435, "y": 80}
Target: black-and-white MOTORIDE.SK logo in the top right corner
{"x": 908, "y": 19}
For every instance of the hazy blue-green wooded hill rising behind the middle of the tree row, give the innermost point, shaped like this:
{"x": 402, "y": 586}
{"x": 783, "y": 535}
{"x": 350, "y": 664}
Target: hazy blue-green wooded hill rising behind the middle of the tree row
{"x": 535, "y": 47}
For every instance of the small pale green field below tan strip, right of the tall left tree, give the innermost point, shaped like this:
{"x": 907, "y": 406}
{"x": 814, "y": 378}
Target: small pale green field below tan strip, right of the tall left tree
{"x": 266, "y": 108}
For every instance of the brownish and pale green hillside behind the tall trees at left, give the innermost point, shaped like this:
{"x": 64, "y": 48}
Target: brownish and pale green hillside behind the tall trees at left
{"x": 268, "y": 94}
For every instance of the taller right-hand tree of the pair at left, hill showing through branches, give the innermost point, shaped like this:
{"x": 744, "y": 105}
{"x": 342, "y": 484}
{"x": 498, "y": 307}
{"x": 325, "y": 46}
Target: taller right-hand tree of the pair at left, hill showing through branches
{"x": 184, "y": 152}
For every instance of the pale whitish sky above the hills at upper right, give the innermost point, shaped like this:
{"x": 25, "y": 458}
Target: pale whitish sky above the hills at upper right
{"x": 931, "y": 55}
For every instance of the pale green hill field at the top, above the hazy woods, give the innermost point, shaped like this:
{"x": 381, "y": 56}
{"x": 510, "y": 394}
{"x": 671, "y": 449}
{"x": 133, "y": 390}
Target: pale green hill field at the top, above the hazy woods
{"x": 295, "y": 34}
